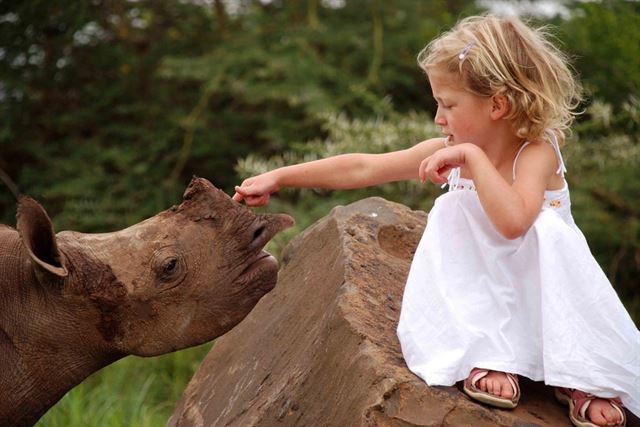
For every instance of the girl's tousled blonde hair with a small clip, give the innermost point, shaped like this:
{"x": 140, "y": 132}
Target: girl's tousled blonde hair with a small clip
{"x": 502, "y": 55}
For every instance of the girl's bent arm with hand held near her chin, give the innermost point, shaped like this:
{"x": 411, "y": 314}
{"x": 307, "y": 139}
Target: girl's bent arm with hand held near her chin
{"x": 512, "y": 208}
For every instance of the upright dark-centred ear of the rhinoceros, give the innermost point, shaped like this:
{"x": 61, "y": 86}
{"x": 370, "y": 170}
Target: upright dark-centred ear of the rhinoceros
{"x": 36, "y": 231}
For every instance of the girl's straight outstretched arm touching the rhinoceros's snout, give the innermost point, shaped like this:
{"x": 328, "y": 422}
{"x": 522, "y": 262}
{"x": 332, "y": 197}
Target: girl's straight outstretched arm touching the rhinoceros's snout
{"x": 345, "y": 171}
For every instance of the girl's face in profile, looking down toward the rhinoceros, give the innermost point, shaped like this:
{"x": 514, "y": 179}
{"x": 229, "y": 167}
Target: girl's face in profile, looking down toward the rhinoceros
{"x": 463, "y": 116}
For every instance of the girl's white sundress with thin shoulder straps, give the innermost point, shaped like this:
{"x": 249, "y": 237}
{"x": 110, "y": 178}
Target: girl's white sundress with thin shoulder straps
{"x": 538, "y": 305}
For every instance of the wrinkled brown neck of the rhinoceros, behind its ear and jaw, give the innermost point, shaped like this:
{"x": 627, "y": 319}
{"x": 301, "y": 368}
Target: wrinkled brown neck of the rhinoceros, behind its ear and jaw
{"x": 43, "y": 348}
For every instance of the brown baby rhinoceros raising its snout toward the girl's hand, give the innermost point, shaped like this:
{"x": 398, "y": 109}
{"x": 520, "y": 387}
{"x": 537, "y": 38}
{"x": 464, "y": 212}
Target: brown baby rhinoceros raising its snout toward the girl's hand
{"x": 72, "y": 303}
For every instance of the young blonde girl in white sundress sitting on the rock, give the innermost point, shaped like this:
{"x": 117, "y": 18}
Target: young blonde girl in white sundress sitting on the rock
{"x": 501, "y": 262}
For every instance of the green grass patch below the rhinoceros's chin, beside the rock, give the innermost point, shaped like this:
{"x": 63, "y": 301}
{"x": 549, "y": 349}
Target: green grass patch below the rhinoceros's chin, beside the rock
{"x": 135, "y": 392}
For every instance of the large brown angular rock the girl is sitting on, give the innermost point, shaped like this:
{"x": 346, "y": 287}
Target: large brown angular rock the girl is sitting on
{"x": 321, "y": 349}
